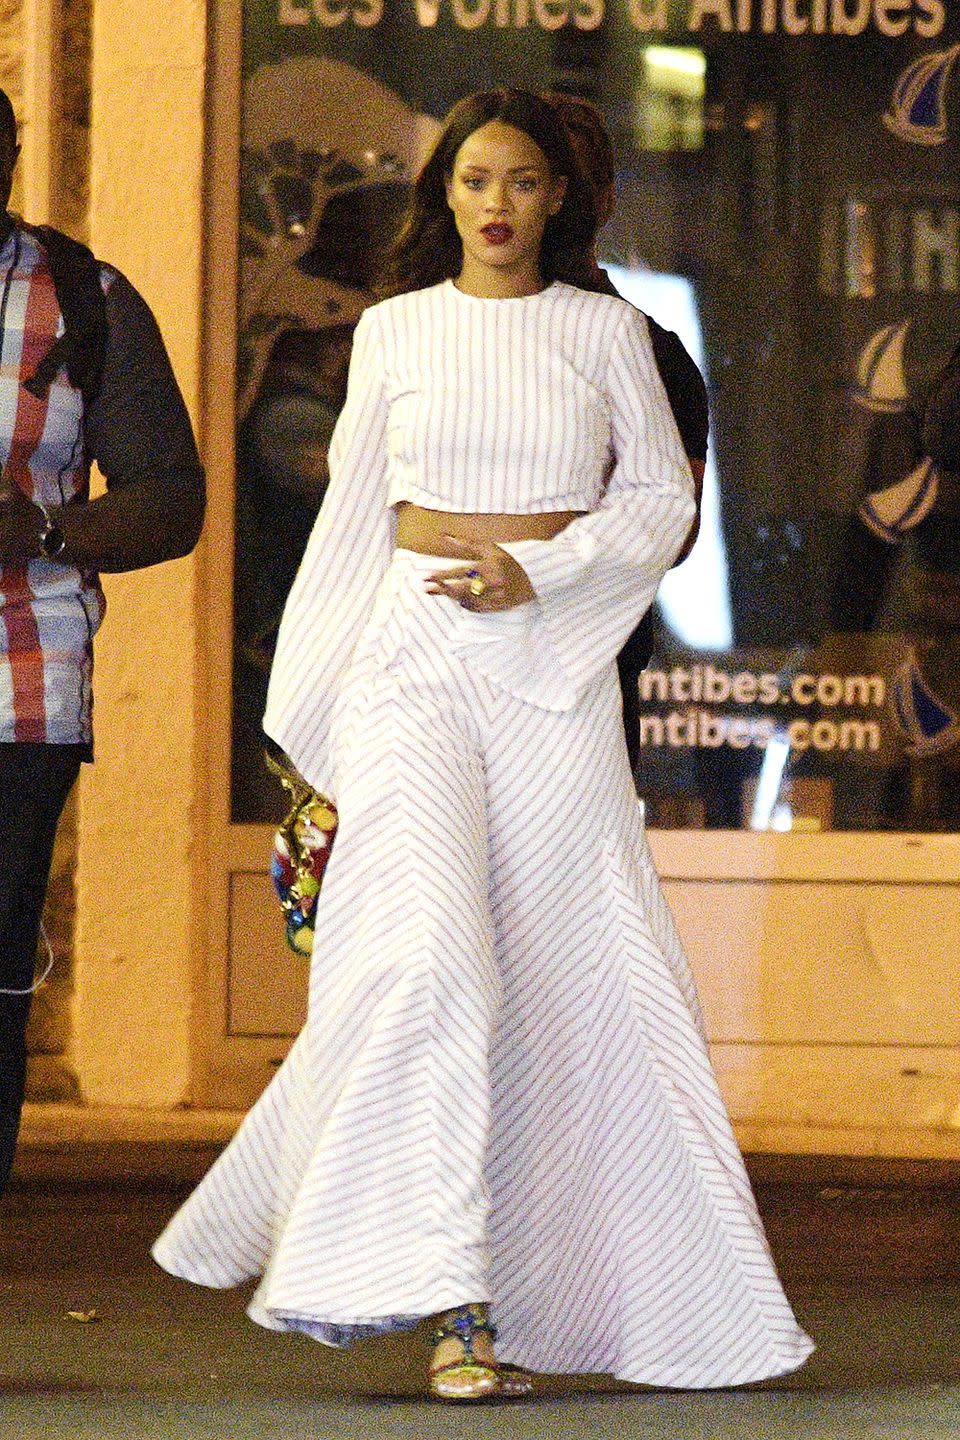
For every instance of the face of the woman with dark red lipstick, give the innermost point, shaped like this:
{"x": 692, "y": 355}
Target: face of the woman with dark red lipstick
{"x": 503, "y": 194}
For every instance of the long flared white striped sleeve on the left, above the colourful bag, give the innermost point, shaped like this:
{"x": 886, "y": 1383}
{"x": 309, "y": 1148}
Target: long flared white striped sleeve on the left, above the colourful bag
{"x": 346, "y": 559}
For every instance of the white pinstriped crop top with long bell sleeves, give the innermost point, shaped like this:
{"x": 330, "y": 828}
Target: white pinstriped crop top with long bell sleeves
{"x": 587, "y": 427}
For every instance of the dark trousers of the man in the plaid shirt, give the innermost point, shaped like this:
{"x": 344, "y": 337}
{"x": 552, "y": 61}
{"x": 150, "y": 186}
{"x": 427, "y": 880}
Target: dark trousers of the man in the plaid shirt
{"x": 35, "y": 781}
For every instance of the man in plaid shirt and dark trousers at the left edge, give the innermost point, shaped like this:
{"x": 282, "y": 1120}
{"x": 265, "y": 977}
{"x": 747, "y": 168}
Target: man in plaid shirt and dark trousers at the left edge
{"x": 107, "y": 394}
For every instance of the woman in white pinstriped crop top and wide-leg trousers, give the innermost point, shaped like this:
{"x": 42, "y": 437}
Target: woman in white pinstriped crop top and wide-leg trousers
{"x": 502, "y": 1104}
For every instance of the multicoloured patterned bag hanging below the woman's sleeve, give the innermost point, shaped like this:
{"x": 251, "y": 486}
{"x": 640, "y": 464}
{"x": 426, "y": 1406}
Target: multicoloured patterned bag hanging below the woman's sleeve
{"x": 302, "y": 850}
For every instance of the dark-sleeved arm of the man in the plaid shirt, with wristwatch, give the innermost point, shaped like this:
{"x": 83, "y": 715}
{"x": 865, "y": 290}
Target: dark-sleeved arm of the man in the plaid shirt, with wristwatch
{"x": 140, "y": 436}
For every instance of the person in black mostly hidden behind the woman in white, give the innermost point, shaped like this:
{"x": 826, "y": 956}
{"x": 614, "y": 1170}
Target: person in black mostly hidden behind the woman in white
{"x": 683, "y": 381}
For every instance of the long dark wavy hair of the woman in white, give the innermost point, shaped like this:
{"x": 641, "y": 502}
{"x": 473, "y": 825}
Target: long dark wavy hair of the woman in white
{"x": 428, "y": 248}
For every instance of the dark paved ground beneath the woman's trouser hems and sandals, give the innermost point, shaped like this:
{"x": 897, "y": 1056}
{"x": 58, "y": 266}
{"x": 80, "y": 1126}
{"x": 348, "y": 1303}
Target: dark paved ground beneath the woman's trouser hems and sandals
{"x": 165, "y": 1360}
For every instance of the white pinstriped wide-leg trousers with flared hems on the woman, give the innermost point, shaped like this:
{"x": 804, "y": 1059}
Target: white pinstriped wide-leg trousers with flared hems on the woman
{"x": 503, "y": 1091}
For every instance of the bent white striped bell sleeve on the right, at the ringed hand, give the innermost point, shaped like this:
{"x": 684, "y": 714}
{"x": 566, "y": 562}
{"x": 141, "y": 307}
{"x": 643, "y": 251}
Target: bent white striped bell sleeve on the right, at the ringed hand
{"x": 599, "y": 577}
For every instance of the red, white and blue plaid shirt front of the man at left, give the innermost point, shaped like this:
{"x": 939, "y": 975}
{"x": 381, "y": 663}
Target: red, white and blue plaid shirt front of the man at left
{"x": 50, "y": 613}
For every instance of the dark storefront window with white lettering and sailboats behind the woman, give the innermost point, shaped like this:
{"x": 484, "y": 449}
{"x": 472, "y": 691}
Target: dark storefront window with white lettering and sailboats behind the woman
{"x": 788, "y": 204}
